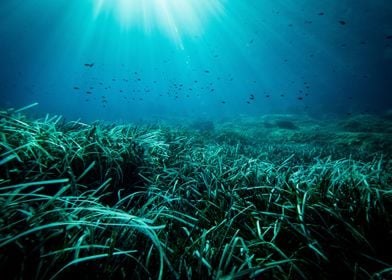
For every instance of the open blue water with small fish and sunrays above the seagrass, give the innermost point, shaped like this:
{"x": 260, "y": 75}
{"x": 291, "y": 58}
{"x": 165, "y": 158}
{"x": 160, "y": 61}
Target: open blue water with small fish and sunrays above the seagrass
{"x": 133, "y": 59}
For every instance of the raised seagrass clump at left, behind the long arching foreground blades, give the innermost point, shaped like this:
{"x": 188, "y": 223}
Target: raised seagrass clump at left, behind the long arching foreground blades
{"x": 88, "y": 155}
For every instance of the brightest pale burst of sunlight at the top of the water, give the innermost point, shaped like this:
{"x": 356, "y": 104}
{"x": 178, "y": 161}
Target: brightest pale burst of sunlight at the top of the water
{"x": 176, "y": 18}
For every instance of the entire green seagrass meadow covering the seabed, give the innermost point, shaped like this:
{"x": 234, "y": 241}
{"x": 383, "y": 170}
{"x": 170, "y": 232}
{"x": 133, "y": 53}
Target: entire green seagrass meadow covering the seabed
{"x": 273, "y": 197}
